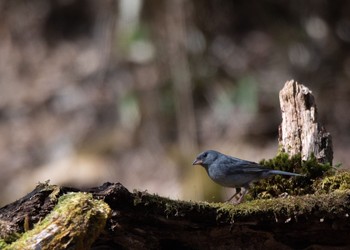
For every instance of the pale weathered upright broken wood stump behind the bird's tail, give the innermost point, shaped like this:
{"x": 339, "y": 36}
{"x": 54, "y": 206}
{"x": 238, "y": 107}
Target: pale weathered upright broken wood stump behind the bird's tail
{"x": 300, "y": 131}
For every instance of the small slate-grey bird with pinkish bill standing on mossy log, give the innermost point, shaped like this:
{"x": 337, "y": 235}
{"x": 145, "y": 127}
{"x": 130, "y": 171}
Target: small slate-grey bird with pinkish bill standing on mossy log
{"x": 229, "y": 171}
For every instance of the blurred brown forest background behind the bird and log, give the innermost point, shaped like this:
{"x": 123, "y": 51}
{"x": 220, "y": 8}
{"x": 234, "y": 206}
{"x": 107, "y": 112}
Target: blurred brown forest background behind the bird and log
{"x": 130, "y": 91}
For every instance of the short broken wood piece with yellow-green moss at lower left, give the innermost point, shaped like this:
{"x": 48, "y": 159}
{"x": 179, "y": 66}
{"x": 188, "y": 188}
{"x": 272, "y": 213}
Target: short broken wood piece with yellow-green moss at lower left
{"x": 76, "y": 221}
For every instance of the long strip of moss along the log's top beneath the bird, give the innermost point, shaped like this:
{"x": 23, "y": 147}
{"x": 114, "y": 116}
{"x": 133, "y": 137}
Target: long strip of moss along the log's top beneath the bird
{"x": 276, "y": 210}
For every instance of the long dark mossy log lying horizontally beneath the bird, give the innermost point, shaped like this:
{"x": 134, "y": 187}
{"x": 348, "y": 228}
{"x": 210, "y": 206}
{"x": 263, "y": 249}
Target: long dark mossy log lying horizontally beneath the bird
{"x": 140, "y": 220}
